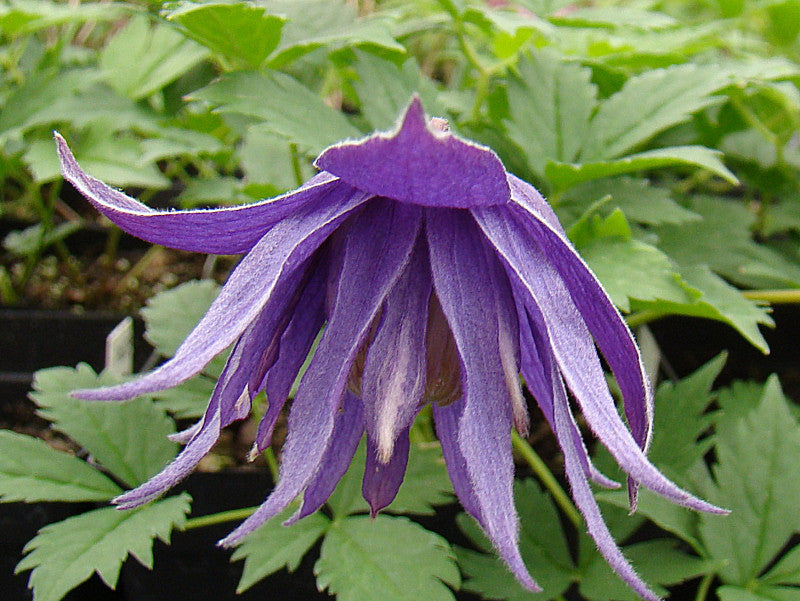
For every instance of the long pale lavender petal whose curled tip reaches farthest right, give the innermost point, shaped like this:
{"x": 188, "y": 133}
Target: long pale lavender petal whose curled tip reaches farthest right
{"x": 575, "y": 353}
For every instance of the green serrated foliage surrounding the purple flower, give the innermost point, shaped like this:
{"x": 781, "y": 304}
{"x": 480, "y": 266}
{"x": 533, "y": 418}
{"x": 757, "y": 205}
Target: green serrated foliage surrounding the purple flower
{"x": 664, "y": 134}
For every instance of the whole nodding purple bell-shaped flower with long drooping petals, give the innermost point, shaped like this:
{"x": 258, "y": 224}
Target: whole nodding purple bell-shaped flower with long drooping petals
{"x": 439, "y": 278}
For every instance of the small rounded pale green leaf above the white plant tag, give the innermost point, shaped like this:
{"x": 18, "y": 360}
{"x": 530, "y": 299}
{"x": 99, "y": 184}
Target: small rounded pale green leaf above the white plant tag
{"x": 171, "y": 315}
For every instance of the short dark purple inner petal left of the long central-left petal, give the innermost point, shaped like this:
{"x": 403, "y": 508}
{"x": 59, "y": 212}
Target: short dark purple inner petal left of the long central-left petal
{"x": 295, "y": 344}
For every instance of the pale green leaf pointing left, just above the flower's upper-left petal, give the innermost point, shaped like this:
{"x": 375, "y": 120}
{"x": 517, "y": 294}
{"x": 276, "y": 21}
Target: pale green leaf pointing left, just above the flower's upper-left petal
{"x": 285, "y": 106}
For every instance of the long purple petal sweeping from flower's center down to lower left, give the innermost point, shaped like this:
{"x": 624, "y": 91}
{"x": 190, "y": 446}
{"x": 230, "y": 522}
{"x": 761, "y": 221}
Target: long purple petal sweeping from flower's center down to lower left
{"x": 370, "y": 268}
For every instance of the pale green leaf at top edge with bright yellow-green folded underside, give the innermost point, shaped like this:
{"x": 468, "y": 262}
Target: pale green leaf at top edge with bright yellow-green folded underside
{"x": 330, "y": 23}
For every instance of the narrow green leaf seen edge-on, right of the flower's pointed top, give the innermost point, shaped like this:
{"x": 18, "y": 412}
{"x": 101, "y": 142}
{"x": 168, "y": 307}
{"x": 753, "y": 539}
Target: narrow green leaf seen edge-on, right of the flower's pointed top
{"x": 564, "y": 175}
